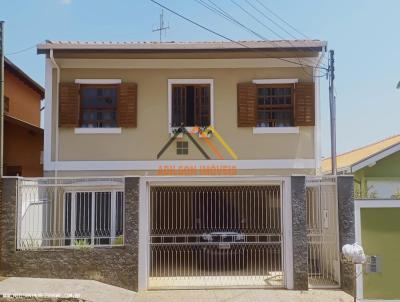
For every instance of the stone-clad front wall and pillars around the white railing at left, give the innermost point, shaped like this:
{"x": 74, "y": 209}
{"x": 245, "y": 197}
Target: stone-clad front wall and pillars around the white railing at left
{"x": 113, "y": 265}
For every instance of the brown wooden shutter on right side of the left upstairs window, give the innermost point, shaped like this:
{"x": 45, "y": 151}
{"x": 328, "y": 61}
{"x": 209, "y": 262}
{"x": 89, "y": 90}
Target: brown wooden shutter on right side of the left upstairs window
{"x": 127, "y": 105}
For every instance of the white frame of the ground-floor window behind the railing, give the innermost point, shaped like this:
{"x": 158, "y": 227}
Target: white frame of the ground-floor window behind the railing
{"x": 114, "y": 193}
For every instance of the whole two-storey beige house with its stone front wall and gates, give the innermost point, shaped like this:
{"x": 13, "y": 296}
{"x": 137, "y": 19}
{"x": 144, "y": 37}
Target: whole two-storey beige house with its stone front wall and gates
{"x": 214, "y": 134}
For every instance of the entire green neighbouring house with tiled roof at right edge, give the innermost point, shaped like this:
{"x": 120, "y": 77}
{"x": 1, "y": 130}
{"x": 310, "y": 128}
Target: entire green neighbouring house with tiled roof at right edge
{"x": 376, "y": 170}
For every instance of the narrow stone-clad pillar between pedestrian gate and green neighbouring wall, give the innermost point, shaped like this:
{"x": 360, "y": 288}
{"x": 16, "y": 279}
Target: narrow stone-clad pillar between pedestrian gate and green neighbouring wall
{"x": 345, "y": 188}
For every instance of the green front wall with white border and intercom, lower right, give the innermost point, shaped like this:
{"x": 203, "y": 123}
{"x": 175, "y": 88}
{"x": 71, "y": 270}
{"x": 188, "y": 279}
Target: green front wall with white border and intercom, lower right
{"x": 377, "y": 227}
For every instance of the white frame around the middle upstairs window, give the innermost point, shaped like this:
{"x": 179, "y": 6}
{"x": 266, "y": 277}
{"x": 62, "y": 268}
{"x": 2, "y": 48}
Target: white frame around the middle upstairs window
{"x": 194, "y": 82}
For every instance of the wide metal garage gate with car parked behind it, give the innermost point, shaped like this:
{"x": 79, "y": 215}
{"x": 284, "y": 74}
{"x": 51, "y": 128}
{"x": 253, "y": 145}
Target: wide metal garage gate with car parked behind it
{"x": 215, "y": 236}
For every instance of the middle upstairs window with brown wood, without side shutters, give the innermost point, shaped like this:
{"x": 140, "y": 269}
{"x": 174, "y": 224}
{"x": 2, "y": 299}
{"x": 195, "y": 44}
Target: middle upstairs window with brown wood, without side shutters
{"x": 190, "y": 105}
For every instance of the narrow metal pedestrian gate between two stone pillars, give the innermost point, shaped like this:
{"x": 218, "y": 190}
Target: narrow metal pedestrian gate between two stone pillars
{"x": 322, "y": 232}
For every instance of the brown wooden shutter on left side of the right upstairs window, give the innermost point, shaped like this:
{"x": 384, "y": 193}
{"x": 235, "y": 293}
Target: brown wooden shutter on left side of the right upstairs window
{"x": 246, "y": 105}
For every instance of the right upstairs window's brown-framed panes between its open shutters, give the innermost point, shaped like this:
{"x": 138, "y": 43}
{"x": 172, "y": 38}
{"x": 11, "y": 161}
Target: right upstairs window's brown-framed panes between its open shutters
{"x": 274, "y": 106}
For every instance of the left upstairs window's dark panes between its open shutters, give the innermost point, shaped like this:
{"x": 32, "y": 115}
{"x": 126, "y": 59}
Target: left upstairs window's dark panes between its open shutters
{"x": 98, "y": 106}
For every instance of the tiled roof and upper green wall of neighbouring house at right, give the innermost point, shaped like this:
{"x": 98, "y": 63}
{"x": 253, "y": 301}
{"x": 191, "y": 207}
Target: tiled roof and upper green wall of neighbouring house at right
{"x": 376, "y": 168}
